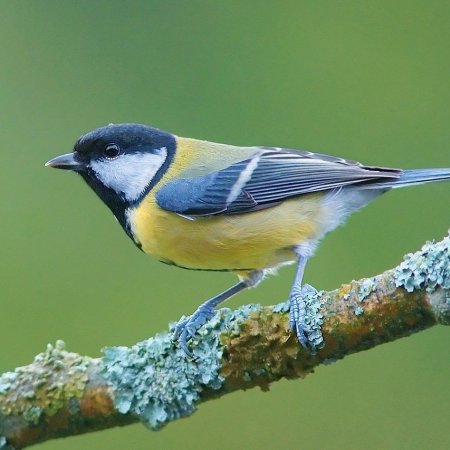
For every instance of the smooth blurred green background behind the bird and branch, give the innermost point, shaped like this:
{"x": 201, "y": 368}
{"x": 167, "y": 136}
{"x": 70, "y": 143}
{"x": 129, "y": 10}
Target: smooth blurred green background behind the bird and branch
{"x": 359, "y": 79}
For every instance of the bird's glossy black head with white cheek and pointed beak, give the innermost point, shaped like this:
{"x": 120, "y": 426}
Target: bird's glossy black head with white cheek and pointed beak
{"x": 121, "y": 162}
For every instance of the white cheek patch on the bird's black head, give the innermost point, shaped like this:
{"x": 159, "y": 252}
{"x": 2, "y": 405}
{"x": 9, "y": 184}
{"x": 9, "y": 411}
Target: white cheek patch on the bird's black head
{"x": 129, "y": 174}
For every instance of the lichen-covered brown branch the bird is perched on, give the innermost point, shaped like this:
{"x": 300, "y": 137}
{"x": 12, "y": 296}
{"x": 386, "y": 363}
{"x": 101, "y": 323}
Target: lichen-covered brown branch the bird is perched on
{"x": 63, "y": 393}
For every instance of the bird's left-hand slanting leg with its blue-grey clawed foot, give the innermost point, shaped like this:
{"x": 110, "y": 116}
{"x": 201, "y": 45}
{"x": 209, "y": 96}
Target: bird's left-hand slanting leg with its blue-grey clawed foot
{"x": 186, "y": 328}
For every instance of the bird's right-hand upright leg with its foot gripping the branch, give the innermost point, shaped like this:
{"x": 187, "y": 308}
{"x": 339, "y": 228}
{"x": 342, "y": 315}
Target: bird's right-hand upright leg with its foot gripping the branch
{"x": 298, "y": 307}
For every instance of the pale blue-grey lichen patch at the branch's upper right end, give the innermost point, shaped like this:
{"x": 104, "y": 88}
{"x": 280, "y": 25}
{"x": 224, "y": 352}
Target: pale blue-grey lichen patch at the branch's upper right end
{"x": 428, "y": 268}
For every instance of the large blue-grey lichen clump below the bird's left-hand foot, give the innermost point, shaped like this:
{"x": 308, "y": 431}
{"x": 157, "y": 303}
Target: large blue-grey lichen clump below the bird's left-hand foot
{"x": 156, "y": 381}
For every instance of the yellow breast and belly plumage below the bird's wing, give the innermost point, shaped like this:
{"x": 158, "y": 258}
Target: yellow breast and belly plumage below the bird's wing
{"x": 253, "y": 240}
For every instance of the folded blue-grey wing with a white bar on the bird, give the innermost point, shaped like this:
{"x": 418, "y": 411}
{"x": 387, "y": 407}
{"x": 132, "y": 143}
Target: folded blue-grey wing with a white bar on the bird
{"x": 267, "y": 178}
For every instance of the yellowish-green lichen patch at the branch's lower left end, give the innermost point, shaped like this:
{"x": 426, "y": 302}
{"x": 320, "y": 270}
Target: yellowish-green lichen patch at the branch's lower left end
{"x": 44, "y": 386}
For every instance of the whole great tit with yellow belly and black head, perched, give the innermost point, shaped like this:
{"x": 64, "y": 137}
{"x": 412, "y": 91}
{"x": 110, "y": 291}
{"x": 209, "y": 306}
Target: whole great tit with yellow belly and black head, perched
{"x": 207, "y": 206}
